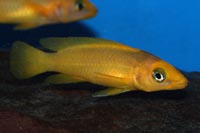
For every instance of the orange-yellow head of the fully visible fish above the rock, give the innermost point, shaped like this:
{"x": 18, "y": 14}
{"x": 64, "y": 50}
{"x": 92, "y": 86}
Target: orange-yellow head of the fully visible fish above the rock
{"x": 159, "y": 75}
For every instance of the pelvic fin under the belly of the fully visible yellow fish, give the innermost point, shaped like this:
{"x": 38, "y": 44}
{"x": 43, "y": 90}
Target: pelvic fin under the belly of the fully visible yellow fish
{"x": 110, "y": 92}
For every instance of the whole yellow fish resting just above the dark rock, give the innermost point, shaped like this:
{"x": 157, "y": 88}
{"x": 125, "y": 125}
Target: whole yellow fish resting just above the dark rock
{"x": 99, "y": 61}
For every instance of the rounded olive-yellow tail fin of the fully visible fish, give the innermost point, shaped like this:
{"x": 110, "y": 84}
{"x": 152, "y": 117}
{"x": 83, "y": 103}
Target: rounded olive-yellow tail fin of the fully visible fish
{"x": 26, "y": 61}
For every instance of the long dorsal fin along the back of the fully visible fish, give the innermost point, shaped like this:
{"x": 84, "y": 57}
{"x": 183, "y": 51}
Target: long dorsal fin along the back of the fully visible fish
{"x": 58, "y": 43}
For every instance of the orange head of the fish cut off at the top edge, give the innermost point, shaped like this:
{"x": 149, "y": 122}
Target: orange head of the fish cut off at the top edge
{"x": 74, "y": 10}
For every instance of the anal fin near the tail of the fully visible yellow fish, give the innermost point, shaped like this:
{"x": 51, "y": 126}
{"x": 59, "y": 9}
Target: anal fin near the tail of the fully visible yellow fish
{"x": 62, "y": 79}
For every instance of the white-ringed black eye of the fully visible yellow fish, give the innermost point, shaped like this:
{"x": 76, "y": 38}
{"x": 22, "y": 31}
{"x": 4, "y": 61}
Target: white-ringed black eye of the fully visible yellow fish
{"x": 159, "y": 75}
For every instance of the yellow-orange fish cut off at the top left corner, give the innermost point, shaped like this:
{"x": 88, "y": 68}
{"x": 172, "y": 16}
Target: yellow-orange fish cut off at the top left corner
{"x": 29, "y": 14}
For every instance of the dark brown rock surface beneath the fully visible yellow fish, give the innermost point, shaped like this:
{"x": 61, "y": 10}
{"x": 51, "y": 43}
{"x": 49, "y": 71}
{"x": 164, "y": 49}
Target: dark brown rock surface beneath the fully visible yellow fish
{"x": 34, "y": 106}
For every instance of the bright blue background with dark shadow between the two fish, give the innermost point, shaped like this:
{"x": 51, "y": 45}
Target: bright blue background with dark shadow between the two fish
{"x": 169, "y": 29}
